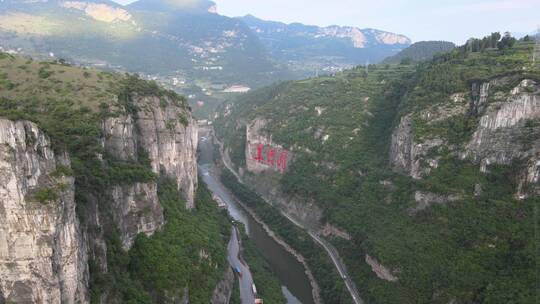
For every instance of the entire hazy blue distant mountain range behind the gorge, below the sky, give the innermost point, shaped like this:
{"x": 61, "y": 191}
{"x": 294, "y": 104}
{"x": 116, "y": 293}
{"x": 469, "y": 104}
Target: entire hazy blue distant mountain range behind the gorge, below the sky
{"x": 185, "y": 44}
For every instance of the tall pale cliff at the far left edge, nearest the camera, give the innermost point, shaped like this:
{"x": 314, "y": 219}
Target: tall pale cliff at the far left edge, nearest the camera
{"x": 42, "y": 250}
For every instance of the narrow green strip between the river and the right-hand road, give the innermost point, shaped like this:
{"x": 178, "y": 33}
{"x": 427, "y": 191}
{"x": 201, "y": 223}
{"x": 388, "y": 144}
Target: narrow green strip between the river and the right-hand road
{"x": 323, "y": 269}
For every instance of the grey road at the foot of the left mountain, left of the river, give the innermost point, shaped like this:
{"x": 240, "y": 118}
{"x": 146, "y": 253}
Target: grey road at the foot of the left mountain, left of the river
{"x": 246, "y": 293}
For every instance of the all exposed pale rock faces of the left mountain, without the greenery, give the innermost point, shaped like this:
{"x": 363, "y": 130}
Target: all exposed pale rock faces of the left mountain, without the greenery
{"x": 43, "y": 249}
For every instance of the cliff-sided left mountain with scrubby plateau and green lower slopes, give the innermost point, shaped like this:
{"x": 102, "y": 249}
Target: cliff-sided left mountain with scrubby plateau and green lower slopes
{"x": 99, "y": 199}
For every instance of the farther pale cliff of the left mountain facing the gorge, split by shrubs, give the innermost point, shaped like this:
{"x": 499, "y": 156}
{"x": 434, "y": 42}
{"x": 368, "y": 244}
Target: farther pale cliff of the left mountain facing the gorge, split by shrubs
{"x": 157, "y": 131}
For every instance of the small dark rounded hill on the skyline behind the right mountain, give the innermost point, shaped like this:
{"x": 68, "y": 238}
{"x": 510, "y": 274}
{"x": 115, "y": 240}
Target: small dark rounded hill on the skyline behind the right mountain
{"x": 422, "y": 50}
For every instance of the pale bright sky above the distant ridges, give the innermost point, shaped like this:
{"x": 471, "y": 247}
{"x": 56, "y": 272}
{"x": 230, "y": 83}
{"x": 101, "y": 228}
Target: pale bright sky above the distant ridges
{"x": 452, "y": 20}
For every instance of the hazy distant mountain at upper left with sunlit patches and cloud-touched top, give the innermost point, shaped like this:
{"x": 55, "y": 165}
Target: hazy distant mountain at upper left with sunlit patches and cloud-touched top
{"x": 188, "y": 48}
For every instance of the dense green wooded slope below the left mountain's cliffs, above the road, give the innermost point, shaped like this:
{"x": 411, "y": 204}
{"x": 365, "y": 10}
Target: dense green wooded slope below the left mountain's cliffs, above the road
{"x": 189, "y": 252}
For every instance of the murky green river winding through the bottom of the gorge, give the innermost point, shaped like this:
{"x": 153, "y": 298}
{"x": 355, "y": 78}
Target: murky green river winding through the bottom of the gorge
{"x": 294, "y": 282}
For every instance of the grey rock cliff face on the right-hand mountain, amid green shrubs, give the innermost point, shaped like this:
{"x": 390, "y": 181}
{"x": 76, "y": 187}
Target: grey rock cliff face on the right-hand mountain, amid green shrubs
{"x": 505, "y": 131}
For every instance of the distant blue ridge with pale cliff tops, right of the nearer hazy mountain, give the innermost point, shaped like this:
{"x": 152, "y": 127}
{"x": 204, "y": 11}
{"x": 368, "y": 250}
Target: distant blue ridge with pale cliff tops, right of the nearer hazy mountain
{"x": 308, "y": 48}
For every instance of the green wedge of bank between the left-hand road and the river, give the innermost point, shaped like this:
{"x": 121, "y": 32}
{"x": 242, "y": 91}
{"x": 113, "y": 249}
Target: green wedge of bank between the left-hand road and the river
{"x": 268, "y": 286}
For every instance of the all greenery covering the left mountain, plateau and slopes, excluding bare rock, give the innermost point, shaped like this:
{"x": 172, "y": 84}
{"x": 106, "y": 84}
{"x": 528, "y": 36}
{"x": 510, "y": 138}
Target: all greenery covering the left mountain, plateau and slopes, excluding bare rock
{"x": 188, "y": 252}
